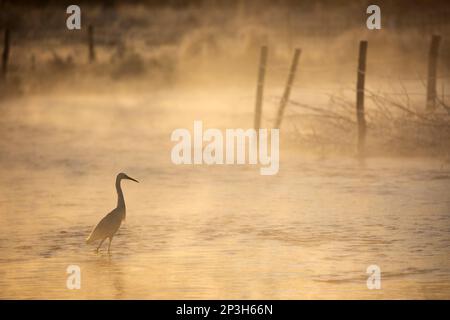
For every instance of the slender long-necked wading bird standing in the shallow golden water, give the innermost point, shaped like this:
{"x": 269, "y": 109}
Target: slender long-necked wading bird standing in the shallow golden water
{"x": 108, "y": 226}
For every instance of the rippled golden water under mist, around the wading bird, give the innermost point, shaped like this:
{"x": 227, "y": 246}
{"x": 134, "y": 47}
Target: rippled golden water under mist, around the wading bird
{"x": 205, "y": 231}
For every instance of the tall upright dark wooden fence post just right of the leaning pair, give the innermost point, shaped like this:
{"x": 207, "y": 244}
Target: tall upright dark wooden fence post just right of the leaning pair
{"x": 360, "y": 97}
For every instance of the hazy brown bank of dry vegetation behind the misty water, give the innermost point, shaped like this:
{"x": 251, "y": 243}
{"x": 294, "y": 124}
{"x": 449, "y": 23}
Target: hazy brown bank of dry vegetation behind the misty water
{"x": 218, "y": 43}
